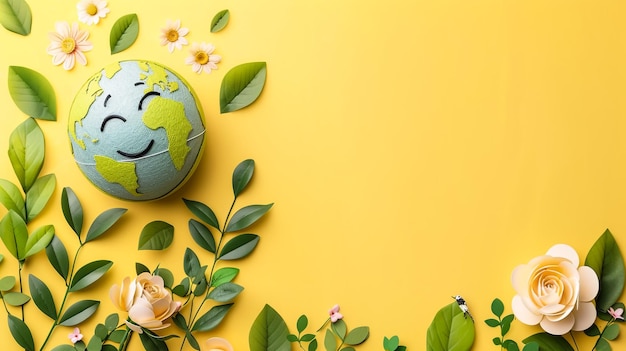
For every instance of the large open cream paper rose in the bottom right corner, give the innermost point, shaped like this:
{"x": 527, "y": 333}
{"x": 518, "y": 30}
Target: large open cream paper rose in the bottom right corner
{"x": 554, "y": 292}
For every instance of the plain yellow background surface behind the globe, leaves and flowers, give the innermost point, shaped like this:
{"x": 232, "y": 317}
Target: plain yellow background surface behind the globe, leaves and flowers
{"x": 414, "y": 150}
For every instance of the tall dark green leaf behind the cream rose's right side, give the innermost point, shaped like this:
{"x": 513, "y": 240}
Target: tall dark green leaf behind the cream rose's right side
{"x": 606, "y": 260}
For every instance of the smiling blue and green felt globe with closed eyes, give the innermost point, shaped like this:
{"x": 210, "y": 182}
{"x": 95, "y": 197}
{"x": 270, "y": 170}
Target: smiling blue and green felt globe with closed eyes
{"x": 137, "y": 130}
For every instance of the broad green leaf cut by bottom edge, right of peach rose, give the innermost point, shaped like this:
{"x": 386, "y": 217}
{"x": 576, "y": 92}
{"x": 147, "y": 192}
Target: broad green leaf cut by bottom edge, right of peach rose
{"x": 269, "y": 332}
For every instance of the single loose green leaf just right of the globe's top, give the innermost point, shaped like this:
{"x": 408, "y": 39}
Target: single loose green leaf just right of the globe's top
{"x": 242, "y": 85}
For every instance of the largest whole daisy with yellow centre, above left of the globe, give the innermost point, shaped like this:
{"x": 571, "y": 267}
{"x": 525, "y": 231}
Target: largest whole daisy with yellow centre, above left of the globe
{"x": 68, "y": 44}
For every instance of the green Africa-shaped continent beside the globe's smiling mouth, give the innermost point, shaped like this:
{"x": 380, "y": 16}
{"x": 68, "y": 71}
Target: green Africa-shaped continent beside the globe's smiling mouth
{"x": 170, "y": 115}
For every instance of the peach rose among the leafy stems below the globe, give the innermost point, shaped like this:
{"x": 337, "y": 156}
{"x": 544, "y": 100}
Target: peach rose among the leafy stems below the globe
{"x": 148, "y": 303}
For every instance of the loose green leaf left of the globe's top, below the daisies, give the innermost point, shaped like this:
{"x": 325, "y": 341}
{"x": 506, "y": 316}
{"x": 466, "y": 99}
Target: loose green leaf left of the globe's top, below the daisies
{"x": 32, "y": 93}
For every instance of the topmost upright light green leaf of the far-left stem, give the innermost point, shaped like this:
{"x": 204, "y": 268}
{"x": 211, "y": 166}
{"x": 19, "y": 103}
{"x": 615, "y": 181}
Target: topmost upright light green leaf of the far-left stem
{"x": 26, "y": 152}
